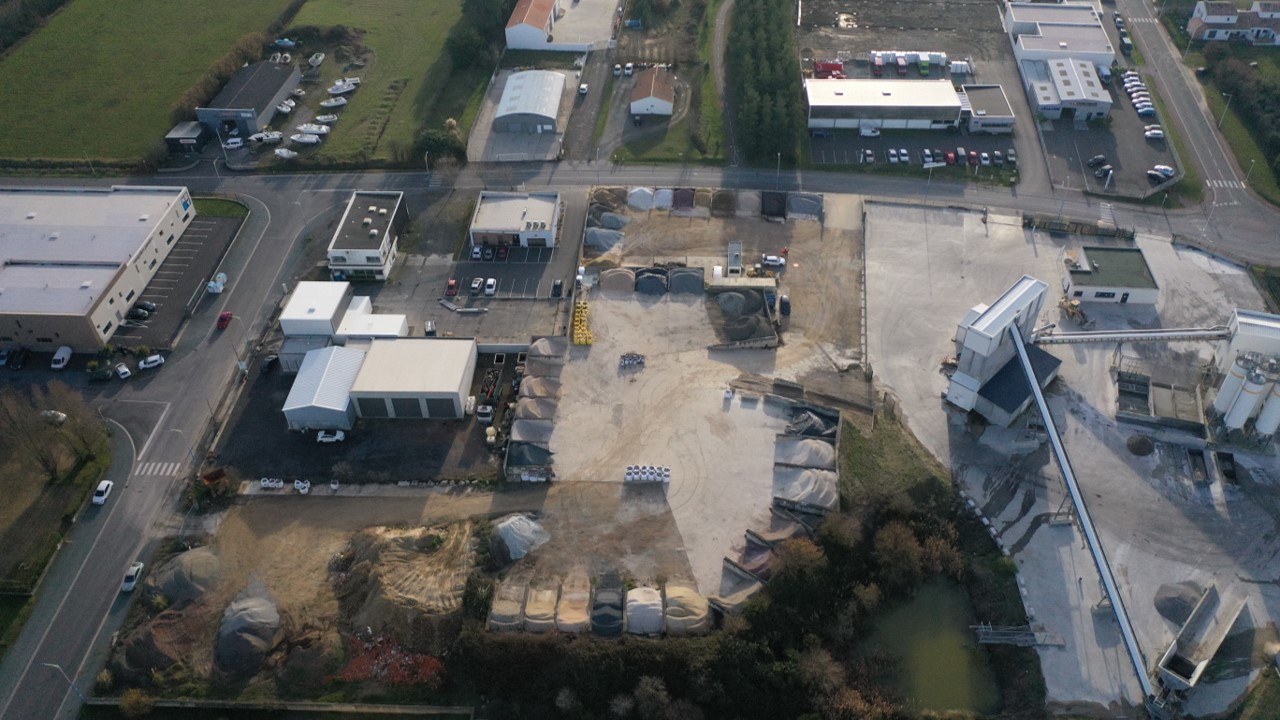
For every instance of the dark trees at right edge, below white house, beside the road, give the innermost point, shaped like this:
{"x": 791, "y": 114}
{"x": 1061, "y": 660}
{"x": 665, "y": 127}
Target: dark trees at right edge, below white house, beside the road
{"x": 1255, "y": 98}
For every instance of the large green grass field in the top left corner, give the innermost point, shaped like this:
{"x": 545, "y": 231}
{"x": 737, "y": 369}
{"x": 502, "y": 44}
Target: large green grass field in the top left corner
{"x": 93, "y": 84}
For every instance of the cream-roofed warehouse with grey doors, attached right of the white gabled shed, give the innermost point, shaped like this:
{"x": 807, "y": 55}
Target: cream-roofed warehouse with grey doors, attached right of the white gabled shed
{"x": 422, "y": 377}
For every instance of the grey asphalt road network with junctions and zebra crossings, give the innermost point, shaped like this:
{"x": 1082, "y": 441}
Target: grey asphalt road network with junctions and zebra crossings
{"x": 163, "y": 421}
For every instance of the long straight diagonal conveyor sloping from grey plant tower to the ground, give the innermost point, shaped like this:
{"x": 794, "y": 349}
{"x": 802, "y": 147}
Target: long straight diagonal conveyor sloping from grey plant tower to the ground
{"x": 1082, "y": 513}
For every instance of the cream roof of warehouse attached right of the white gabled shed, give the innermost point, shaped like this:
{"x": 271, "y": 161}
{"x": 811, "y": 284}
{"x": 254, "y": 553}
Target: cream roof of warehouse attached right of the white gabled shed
{"x": 420, "y": 366}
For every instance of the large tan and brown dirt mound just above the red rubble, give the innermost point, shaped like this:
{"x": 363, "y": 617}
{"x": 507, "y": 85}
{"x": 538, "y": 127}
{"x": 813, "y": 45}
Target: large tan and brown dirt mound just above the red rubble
{"x": 406, "y": 582}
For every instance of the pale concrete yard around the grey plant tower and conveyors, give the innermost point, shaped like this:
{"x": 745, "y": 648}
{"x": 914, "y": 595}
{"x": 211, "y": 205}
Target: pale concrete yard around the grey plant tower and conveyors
{"x": 926, "y": 267}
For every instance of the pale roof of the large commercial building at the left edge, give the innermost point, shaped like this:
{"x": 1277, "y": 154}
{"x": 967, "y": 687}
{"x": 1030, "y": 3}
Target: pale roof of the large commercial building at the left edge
{"x": 62, "y": 249}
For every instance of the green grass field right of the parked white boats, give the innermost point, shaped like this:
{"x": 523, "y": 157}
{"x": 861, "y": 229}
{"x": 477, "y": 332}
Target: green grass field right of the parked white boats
{"x": 404, "y": 81}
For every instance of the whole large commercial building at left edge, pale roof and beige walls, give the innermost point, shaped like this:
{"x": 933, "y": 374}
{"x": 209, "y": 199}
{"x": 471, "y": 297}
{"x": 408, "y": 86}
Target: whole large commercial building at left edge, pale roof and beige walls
{"x": 72, "y": 262}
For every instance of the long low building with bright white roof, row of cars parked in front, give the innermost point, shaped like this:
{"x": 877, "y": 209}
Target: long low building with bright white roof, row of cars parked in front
{"x": 898, "y": 104}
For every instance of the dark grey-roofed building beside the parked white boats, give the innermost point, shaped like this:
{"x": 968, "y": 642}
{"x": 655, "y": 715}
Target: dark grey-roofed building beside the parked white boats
{"x": 248, "y": 103}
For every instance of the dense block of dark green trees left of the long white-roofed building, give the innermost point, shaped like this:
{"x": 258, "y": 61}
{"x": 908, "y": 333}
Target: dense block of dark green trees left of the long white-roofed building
{"x": 764, "y": 78}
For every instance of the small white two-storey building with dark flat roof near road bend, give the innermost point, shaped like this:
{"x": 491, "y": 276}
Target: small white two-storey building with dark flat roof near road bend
{"x": 367, "y": 243}
